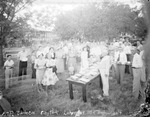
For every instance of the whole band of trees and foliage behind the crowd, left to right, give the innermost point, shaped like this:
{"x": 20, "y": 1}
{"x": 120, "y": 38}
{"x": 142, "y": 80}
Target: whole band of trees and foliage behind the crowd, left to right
{"x": 91, "y": 21}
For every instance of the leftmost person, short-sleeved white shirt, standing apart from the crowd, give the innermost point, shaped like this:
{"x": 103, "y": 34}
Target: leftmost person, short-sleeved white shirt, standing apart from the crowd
{"x": 8, "y": 65}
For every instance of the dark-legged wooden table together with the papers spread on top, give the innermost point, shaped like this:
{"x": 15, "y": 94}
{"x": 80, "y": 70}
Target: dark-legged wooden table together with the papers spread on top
{"x": 83, "y": 79}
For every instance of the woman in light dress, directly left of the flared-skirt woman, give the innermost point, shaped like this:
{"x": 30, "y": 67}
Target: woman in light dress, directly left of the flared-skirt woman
{"x": 40, "y": 66}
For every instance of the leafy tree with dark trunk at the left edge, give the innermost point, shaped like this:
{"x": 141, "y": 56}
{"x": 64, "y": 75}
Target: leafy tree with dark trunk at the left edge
{"x": 10, "y": 24}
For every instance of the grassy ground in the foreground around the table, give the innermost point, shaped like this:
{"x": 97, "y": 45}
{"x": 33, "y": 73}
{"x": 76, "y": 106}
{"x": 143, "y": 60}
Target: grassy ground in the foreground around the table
{"x": 25, "y": 95}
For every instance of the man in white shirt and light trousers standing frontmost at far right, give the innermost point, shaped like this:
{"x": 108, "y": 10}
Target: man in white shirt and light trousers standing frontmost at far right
{"x": 137, "y": 65}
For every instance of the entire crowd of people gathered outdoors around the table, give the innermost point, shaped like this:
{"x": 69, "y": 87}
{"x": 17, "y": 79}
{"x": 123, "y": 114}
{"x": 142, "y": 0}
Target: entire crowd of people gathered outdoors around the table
{"x": 50, "y": 61}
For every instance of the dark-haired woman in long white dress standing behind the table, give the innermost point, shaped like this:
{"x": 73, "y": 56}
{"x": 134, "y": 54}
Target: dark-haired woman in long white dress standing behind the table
{"x": 84, "y": 60}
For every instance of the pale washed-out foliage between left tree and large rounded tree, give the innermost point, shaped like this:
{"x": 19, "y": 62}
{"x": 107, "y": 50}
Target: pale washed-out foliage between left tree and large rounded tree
{"x": 44, "y": 18}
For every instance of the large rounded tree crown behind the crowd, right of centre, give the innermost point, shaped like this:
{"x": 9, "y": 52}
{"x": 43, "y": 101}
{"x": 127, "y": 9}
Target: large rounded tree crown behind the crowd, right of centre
{"x": 95, "y": 21}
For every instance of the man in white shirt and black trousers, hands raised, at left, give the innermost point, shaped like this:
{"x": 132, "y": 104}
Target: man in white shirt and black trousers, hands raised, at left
{"x": 23, "y": 58}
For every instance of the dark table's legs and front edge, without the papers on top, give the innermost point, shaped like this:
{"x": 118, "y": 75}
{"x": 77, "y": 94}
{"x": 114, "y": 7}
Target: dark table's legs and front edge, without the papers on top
{"x": 83, "y": 84}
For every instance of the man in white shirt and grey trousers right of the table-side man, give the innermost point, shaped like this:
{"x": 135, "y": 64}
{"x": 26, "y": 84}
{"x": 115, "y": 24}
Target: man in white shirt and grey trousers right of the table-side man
{"x": 121, "y": 61}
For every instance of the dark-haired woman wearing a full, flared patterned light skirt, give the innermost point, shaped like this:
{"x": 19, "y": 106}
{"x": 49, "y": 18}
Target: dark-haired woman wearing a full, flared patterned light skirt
{"x": 50, "y": 78}
